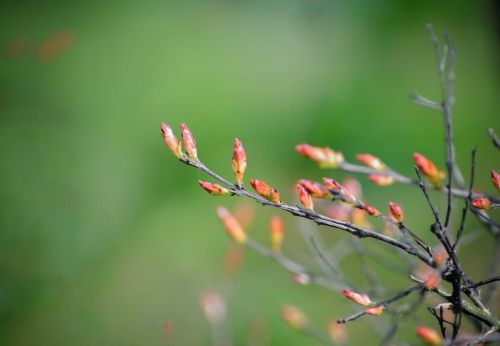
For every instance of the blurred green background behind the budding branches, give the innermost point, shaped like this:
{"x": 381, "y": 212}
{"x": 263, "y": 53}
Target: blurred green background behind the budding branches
{"x": 105, "y": 237}
